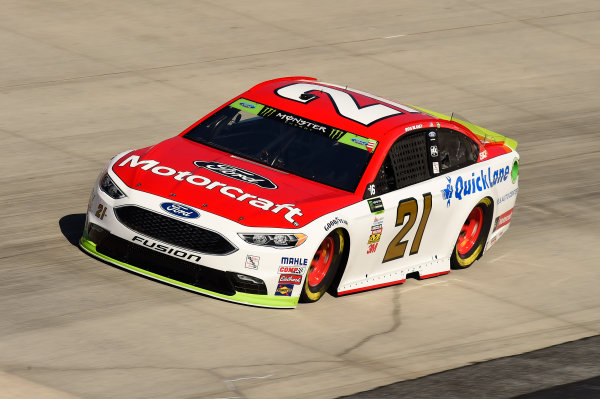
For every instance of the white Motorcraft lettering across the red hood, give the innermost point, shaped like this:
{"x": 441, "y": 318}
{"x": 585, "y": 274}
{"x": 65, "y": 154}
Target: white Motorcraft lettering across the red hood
{"x": 232, "y": 192}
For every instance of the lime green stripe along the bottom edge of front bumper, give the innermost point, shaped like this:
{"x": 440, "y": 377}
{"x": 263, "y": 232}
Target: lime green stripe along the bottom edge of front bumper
{"x": 270, "y": 301}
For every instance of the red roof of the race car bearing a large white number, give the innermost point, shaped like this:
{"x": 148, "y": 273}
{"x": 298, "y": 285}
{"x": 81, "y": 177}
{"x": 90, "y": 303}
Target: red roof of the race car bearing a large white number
{"x": 324, "y": 109}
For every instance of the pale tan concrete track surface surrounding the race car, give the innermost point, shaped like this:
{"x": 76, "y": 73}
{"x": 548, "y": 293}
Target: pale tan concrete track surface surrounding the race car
{"x": 82, "y": 81}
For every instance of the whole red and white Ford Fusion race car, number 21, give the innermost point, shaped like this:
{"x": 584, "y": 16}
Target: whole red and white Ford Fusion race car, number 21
{"x": 298, "y": 187}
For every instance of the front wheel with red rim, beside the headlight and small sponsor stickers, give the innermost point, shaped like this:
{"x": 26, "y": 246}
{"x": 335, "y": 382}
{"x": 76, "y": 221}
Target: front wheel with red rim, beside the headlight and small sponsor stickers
{"x": 323, "y": 267}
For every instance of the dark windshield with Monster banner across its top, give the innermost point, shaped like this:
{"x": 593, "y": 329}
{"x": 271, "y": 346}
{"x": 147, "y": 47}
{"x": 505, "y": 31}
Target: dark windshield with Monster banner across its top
{"x": 287, "y": 142}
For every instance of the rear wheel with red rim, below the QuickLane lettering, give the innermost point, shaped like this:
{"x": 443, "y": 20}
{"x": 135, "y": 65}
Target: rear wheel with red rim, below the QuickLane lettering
{"x": 473, "y": 233}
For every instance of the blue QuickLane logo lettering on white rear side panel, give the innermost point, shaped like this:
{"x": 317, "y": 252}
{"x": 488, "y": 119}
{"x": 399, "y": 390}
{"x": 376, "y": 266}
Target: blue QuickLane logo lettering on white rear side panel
{"x": 477, "y": 182}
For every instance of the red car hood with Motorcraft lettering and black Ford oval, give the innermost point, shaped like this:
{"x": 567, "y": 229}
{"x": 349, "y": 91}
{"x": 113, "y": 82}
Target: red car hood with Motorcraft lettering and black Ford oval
{"x": 248, "y": 193}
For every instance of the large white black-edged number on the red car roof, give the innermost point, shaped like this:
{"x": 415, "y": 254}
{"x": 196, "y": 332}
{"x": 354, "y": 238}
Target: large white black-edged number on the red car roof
{"x": 344, "y": 104}
